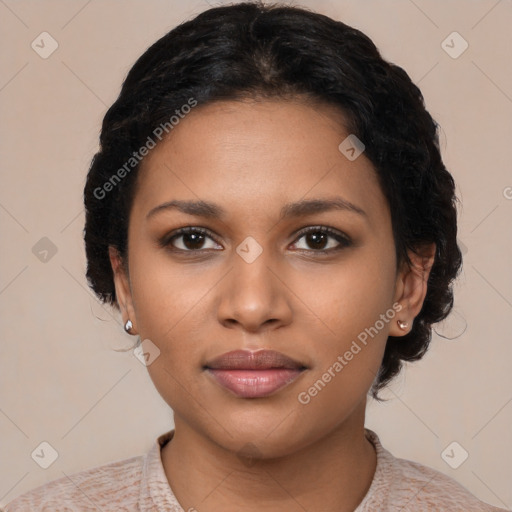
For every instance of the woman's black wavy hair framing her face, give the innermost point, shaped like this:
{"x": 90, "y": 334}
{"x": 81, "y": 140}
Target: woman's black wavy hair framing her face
{"x": 252, "y": 50}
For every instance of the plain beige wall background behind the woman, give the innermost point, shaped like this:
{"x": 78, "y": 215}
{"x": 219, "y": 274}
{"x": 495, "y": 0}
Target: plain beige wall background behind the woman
{"x": 60, "y": 379}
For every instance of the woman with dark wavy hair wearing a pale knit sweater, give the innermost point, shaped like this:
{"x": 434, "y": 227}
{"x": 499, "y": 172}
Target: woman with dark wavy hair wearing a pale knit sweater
{"x": 270, "y": 213}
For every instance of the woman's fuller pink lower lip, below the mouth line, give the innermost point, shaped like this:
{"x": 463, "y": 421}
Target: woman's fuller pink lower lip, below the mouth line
{"x": 254, "y": 383}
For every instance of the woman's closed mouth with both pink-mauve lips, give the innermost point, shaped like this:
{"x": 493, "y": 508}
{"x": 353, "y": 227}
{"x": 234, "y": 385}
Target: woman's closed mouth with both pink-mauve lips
{"x": 254, "y": 374}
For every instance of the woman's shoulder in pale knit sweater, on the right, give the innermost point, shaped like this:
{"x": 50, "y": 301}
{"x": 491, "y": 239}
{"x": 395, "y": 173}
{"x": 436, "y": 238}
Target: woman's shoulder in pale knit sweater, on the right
{"x": 413, "y": 486}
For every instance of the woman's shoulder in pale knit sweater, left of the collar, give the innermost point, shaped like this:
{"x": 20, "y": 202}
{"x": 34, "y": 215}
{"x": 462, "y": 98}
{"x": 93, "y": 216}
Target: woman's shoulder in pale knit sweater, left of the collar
{"x": 92, "y": 489}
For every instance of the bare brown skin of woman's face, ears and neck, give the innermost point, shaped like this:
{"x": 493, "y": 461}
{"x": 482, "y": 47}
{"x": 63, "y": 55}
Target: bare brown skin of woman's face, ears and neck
{"x": 251, "y": 158}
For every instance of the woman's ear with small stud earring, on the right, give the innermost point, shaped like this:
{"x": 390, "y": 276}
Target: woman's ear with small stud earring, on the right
{"x": 411, "y": 286}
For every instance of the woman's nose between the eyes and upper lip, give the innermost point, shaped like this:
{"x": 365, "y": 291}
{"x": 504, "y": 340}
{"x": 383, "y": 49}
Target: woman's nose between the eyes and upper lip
{"x": 254, "y": 296}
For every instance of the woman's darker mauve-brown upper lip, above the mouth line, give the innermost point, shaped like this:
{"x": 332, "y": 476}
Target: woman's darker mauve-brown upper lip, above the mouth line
{"x": 248, "y": 360}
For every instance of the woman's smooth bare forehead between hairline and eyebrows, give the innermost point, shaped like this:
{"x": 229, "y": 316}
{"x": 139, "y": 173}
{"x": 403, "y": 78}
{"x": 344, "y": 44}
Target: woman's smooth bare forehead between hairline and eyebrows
{"x": 255, "y": 156}
